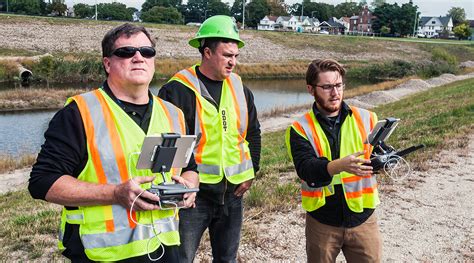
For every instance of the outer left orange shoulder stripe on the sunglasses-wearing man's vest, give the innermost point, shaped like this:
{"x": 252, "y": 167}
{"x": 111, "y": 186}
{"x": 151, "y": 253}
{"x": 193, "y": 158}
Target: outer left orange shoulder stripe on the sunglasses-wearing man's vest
{"x": 89, "y": 129}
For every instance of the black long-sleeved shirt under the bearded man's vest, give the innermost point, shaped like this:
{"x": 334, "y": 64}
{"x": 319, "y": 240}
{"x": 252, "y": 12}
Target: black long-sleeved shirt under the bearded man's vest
{"x": 313, "y": 171}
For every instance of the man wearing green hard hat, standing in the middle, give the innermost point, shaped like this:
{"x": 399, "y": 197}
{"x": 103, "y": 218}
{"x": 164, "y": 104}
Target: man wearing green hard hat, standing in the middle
{"x": 220, "y": 110}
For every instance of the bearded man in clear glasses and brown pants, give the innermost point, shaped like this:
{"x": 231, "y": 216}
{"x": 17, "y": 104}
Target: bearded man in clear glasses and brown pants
{"x": 338, "y": 189}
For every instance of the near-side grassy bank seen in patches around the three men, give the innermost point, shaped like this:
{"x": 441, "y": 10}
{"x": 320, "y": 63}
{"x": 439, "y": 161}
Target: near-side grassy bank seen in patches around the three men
{"x": 441, "y": 118}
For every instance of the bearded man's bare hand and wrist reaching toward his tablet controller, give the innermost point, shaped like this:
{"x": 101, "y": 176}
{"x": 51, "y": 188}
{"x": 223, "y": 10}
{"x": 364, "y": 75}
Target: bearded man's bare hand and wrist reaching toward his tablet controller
{"x": 351, "y": 164}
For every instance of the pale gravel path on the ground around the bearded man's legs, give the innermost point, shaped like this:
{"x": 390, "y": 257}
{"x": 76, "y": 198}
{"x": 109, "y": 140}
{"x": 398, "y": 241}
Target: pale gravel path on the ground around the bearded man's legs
{"x": 428, "y": 218}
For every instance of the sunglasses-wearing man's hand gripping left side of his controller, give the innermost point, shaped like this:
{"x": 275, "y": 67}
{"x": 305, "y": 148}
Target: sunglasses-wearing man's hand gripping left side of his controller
{"x": 126, "y": 193}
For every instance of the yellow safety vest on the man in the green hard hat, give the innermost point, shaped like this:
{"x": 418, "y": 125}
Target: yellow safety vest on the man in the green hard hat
{"x": 222, "y": 148}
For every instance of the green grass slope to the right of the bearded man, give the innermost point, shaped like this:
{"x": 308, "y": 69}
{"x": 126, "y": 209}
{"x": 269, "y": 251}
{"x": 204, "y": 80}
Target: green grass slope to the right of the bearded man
{"x": 439, "y": 118}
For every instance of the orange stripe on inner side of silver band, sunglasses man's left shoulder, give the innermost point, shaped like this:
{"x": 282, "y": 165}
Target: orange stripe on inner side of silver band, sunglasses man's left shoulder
{"x": 114, "y": 136}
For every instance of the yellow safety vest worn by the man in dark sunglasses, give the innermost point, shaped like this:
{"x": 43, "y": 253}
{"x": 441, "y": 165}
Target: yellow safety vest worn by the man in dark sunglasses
{"x": 114, "y": 141}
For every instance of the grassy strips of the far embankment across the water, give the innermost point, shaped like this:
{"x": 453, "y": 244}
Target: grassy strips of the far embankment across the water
{"x": 73, "y": 66}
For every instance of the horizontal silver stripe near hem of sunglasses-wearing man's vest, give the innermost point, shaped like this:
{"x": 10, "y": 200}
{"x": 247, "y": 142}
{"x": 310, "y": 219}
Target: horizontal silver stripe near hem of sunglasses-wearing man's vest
{"x": 126, "y": 235}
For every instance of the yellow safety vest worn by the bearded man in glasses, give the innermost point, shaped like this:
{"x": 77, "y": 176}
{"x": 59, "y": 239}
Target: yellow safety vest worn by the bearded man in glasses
{"x": 359, "y": 191}
